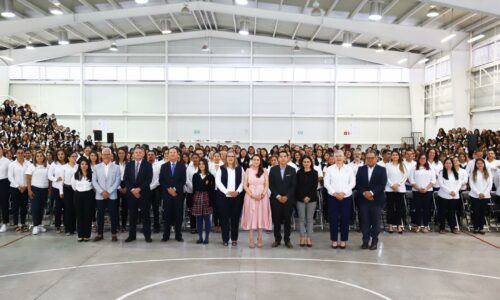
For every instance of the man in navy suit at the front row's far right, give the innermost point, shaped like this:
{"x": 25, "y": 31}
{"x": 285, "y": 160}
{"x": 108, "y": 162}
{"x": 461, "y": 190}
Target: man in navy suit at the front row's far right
{"x": 370, "y": 184}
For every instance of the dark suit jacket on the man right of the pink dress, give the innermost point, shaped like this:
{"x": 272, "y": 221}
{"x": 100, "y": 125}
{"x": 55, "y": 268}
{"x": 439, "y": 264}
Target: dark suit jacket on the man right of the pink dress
{"x": 282, "y": 187}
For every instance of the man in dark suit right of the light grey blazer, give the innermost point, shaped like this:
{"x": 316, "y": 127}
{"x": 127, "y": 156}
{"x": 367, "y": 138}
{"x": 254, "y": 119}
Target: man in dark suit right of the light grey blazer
{"x": 137, "y": 178}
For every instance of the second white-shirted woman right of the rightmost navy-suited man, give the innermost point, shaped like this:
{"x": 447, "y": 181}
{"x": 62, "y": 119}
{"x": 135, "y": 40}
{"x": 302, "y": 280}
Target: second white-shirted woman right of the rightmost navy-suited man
{"x": 422, "y": 179}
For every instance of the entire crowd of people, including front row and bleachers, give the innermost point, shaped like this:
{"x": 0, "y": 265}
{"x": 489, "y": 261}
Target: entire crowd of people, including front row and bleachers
{"x": 231, "y": 187}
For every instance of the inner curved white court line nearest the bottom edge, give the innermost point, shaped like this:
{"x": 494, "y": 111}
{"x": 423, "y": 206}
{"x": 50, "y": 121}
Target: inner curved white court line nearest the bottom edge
{"x": 251, "y": 272}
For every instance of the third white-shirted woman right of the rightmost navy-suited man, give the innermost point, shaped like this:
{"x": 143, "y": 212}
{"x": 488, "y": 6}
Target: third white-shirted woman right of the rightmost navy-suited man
{"x": 449, "y": 194}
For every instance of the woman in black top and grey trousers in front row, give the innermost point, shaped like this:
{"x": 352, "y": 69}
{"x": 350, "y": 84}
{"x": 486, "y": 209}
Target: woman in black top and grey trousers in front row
{"x": 307, "y": 198}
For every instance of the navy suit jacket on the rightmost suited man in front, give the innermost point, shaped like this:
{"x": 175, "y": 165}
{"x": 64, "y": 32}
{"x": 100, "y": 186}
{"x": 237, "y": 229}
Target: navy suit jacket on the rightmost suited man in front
{"x": 376, "y": 184}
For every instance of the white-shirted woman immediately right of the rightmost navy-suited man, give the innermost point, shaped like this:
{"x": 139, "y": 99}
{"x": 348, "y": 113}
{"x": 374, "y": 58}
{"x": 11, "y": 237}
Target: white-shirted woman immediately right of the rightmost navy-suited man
{"x": 395, "y": 191}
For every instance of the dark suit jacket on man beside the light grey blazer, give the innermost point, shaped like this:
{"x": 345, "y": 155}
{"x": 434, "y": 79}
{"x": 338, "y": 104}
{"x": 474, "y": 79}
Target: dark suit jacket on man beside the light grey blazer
{"x": 144, "y": 177}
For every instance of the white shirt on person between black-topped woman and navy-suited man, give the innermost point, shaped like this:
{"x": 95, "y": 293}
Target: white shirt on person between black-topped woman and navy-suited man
{"x": 340, "y": 180}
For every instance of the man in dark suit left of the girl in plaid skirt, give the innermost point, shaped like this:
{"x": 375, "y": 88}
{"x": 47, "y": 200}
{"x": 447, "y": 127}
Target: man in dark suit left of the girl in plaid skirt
{"x": 172, "y": 181}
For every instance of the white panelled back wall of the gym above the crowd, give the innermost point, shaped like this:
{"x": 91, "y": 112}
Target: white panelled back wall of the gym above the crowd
{"x": 261, "y": 113}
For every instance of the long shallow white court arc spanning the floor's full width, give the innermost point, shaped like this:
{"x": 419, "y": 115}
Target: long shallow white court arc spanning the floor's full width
{"x": 254, "y": 259}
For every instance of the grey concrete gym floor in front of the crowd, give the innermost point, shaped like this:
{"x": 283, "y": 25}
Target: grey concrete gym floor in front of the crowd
{"x": 408, "y": 266}
